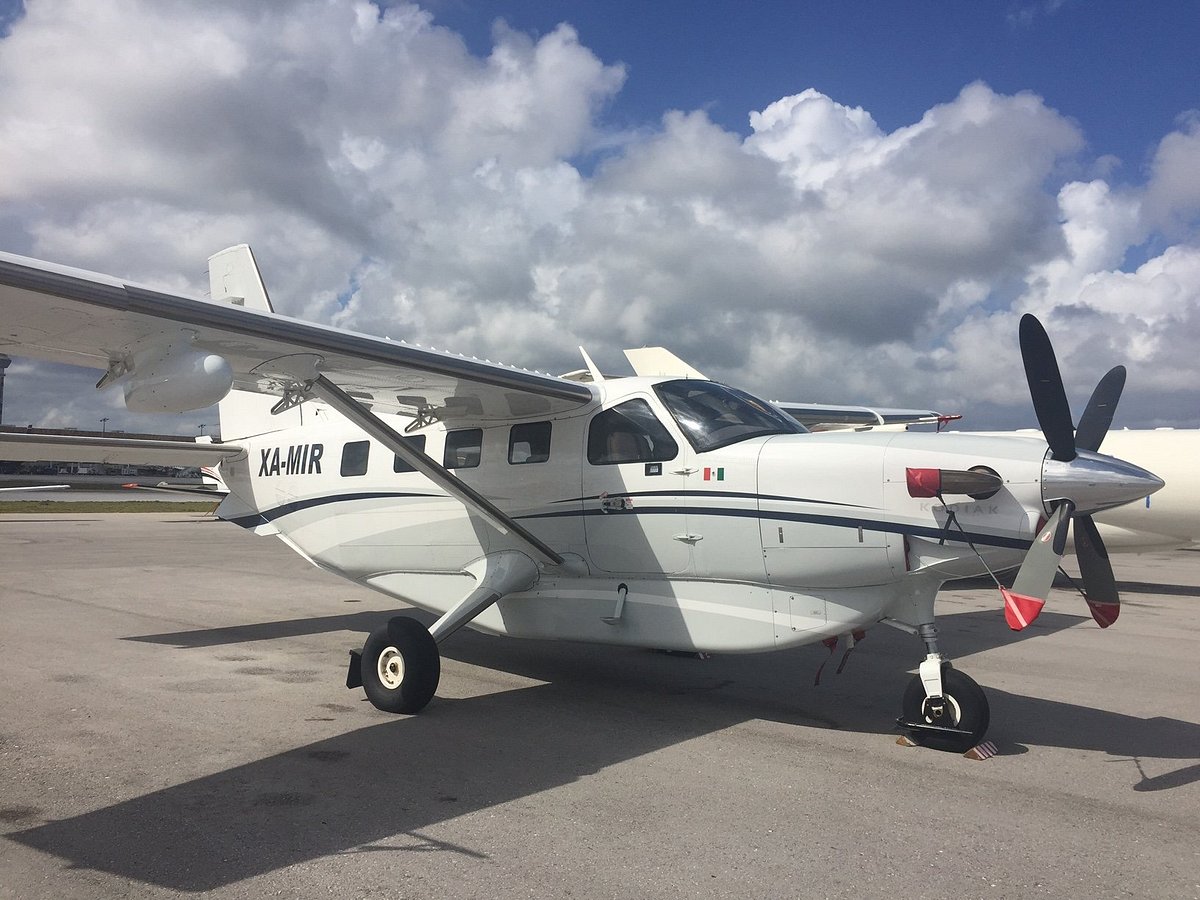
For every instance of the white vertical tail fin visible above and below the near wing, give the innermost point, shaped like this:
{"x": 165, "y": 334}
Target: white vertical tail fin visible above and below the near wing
{"x": 235, "y": 279}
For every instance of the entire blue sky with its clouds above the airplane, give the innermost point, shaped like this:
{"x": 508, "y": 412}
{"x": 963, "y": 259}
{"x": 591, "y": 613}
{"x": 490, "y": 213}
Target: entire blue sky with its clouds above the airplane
{"x": 824, "y": 202}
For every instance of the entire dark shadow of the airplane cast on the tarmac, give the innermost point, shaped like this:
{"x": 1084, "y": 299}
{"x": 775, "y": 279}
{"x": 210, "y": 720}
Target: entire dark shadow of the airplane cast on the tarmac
{"x": 377, "y": 788}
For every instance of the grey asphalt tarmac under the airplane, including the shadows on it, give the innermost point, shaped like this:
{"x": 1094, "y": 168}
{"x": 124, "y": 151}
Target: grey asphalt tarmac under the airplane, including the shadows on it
{"x": 173, "y": 721}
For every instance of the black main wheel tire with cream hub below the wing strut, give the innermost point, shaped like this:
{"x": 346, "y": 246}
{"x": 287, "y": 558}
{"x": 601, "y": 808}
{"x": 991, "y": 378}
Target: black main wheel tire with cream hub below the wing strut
{"x": 401, "y": 667}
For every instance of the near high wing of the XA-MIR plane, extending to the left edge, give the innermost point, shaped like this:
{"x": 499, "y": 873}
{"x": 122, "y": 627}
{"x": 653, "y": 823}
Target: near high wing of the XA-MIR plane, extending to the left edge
{"x": 82, "y": 319}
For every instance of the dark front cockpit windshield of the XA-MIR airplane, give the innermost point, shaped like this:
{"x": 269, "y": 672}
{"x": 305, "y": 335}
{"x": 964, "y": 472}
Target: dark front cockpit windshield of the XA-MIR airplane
{"x": 713, "y": 416}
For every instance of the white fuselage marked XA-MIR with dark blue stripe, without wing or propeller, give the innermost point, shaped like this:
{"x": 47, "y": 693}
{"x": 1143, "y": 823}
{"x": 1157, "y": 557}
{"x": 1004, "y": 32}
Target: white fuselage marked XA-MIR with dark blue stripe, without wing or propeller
{"x": 764, "y": 543}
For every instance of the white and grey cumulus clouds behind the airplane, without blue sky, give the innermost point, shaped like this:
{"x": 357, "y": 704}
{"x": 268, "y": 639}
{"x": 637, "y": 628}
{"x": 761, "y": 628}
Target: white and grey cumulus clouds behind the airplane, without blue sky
{"x": 392, "y": 182}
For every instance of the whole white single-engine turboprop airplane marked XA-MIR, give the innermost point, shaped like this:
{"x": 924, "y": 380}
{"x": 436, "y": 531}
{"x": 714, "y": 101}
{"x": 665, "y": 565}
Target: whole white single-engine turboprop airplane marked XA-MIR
{"x": 667, "y": 513}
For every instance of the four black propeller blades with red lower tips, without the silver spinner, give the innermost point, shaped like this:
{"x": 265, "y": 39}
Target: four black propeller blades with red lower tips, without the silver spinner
{"x": 1024, "y": 602}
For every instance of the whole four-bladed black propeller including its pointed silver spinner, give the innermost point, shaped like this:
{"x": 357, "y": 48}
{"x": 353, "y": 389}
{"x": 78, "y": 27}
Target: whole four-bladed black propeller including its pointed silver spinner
{"x": 1077, "y": 482}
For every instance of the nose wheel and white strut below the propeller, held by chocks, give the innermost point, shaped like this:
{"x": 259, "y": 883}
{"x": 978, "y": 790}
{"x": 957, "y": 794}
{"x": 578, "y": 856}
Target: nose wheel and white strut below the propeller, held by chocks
{"x": 943, "y": 709}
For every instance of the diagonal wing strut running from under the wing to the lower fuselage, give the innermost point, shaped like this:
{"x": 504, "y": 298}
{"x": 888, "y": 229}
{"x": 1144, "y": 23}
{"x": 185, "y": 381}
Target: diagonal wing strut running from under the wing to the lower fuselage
{"x": 373, "y": 425}
